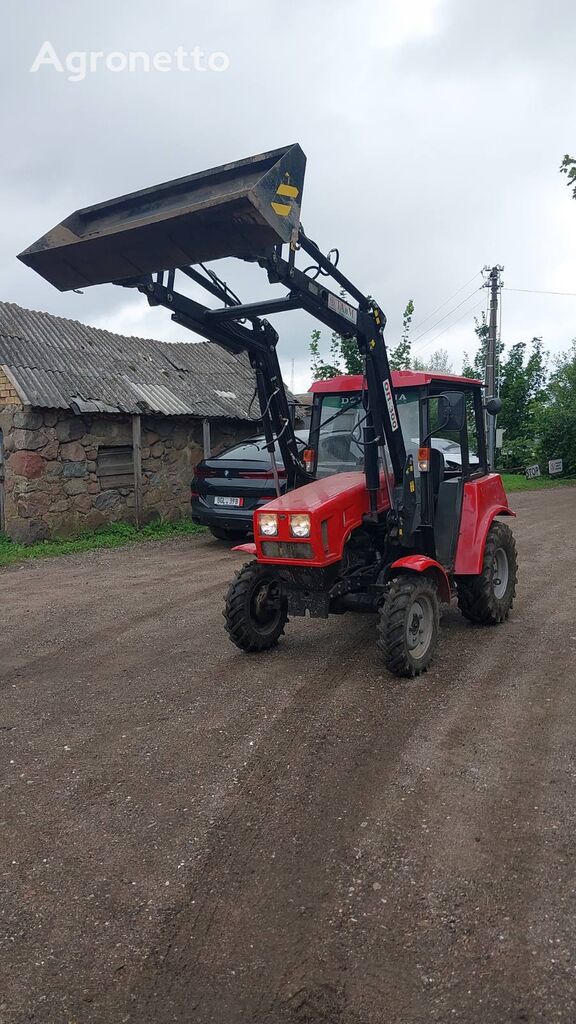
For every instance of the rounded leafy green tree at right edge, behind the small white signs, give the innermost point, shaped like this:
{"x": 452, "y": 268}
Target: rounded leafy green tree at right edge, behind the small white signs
{"x": 556, "y": 419}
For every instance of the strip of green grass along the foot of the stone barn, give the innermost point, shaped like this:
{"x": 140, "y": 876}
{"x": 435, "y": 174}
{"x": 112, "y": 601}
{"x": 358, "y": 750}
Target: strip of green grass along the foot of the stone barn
{"x": 114, "y": 536}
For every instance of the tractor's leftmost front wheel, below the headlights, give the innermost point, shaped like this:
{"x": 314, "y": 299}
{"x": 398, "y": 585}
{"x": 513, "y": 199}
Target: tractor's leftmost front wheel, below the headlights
{"x": 256, "y": 617}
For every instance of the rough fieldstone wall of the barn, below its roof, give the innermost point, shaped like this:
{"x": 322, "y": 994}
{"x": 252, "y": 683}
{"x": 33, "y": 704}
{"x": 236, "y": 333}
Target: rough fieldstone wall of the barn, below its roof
{"x": 53, "y": 487}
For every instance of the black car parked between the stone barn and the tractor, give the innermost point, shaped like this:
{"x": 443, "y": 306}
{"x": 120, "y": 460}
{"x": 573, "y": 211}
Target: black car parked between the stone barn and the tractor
{"x": 228, "y": 488}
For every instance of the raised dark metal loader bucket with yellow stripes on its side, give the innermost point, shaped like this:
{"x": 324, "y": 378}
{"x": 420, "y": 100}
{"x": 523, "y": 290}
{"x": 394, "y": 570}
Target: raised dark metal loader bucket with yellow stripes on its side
{"x": 240, "y": 209}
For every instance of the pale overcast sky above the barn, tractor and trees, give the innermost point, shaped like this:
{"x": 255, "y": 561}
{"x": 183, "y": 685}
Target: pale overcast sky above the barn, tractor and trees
{"x": 434, "y": 132}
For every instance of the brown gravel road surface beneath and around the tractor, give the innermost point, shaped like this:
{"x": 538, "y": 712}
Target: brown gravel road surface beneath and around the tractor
{"x": 193, "y": 835}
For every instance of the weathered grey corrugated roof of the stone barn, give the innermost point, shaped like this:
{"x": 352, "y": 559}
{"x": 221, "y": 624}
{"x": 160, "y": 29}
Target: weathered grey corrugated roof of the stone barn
{"x": 56, "y": 363}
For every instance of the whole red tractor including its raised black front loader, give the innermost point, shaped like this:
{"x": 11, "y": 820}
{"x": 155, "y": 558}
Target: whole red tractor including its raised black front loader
{"x": 387, "y": 513}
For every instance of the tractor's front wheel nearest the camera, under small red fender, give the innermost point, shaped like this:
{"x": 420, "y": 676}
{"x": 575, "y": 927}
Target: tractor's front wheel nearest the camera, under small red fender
{"x": 408, "y": 626}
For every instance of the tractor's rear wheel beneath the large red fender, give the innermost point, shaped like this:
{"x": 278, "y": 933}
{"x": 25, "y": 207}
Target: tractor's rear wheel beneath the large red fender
{"x": 487, "y": 599}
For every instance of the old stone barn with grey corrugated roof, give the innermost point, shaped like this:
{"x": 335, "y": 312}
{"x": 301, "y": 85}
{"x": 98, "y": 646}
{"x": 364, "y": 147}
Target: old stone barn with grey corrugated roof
{"x": 97, "y": 428}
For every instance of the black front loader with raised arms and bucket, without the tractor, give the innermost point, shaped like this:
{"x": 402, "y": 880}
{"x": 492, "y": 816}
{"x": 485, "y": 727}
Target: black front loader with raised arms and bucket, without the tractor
{"x": 250, "y": 209}
